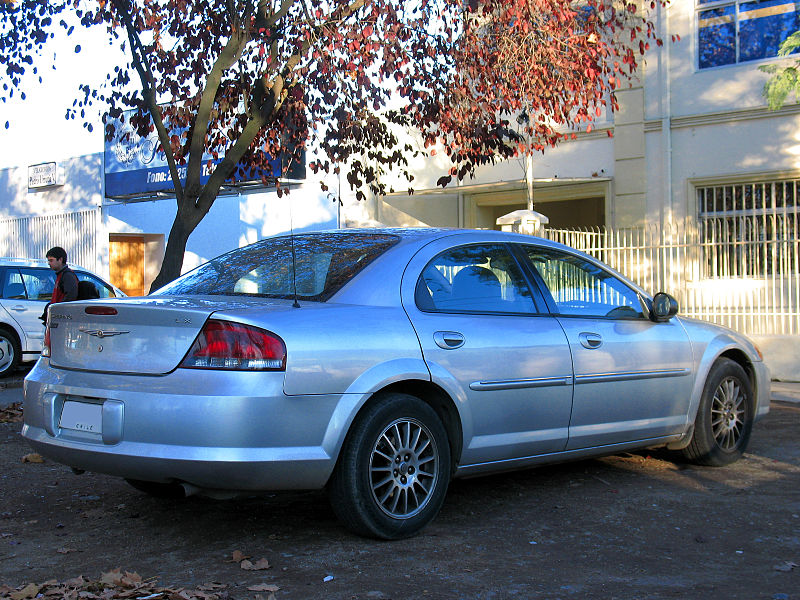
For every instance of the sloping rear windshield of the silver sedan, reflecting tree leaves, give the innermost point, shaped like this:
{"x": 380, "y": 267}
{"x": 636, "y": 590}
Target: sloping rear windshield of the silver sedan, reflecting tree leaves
{"x": 324, "y": 263}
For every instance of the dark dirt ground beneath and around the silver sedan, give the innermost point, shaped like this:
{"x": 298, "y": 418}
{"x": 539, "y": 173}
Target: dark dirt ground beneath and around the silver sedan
{"x": 622, "y": 527}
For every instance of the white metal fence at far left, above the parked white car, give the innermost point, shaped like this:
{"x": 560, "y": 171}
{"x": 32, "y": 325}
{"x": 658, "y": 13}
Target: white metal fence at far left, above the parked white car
{"x": 31, "y": 237}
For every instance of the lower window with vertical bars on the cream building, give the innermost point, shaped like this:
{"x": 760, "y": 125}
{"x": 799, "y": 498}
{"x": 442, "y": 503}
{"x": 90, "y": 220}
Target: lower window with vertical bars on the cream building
{"x": 744, "y": 228}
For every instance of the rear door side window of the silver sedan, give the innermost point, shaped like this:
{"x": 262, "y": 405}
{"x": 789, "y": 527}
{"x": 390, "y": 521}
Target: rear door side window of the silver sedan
{"x": 481, "y": 278}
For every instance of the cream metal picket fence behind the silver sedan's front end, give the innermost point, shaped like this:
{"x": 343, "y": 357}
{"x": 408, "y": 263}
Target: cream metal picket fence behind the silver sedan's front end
{"x": 739, "y": 271}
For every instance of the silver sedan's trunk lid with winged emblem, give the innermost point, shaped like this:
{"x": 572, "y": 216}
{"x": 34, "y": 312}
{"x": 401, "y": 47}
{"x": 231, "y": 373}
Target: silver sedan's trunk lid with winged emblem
{"x": 149, "y": 335}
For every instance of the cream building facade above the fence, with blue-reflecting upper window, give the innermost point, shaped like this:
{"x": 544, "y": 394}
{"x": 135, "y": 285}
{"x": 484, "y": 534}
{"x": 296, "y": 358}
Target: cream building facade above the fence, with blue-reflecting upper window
{"x": 695, "y": 118}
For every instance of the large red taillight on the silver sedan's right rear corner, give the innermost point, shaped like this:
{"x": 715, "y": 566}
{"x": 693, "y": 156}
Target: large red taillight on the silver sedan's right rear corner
{"x": 225, "y": 345}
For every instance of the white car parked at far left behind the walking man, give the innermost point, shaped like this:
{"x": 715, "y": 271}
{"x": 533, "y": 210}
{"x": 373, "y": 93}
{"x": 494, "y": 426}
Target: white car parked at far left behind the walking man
{"x": 26, "y": 285}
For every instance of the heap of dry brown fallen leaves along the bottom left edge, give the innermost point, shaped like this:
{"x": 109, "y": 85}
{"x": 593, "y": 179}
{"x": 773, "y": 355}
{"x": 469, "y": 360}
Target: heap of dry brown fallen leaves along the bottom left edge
{"x": 115, "y": 585}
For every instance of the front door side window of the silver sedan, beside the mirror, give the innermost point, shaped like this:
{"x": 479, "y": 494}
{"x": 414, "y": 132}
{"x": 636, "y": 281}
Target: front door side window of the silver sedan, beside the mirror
{"x": 582, "y": 288}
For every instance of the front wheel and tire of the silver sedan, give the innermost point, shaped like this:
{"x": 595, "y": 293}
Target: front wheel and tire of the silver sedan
{"x": 724, "y": 418}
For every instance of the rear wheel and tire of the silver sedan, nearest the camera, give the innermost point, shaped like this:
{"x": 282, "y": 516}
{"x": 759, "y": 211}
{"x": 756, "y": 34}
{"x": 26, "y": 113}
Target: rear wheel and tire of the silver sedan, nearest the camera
{"x": 393, "y": 471}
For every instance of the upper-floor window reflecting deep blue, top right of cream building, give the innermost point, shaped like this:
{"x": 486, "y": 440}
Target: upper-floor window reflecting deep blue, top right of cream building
{"x": 735, "y": 31}
